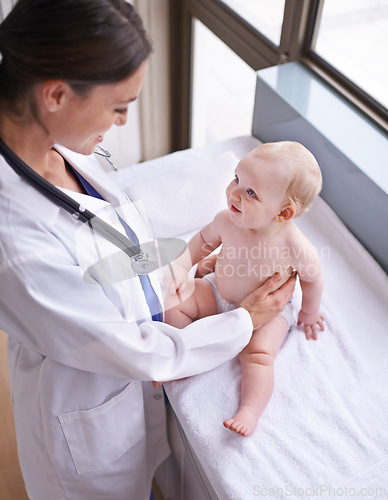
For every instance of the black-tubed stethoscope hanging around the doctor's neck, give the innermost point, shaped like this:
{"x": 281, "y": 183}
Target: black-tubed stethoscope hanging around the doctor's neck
{"x": 140, "y": 262}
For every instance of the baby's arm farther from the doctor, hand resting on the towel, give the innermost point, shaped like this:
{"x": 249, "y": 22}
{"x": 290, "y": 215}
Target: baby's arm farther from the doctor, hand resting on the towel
{"x": 311, "y": 282}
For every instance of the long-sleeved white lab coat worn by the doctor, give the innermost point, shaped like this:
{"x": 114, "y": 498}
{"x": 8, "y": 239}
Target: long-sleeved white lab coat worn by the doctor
{"x": 87, "y": 427}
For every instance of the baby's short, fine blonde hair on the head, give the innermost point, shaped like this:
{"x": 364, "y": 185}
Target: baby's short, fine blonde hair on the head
{"x": 305, "y": 177}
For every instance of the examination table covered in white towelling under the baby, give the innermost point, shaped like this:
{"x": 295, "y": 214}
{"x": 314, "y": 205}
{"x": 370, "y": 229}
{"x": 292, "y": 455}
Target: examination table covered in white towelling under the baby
{"x": 325, "y": 431}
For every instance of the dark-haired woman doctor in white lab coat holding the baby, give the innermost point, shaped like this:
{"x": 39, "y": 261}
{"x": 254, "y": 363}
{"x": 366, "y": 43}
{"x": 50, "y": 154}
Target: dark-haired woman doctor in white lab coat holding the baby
{"x": 88, "y": 424}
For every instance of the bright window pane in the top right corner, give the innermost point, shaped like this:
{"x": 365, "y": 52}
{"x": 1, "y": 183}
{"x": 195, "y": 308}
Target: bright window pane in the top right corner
{"x": 352, "y": 36}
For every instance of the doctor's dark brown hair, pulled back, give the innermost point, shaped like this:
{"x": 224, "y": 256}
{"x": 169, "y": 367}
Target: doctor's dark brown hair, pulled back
{"x": 82, "y": 42}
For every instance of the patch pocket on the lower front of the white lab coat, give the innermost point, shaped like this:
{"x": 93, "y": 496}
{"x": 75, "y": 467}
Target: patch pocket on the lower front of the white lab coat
{"x": 98, "y": 436}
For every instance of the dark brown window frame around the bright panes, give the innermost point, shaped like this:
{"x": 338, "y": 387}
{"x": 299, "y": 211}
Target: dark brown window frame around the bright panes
{"x": 297, "y": 35}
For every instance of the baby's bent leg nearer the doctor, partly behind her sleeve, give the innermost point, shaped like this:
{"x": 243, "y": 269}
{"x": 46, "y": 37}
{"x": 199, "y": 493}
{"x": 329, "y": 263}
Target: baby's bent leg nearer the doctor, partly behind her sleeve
{"x": 195, "y": 304}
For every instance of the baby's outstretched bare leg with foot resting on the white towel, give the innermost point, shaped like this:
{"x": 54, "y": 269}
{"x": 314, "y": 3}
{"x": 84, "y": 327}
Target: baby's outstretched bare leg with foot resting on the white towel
{"x": 257, "y": 377}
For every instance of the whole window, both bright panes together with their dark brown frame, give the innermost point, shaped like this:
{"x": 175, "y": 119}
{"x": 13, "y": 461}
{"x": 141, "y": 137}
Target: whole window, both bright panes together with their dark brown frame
{"x": 344, "y": 41}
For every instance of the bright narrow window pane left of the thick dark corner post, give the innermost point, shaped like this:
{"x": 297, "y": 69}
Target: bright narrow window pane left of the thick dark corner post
{"x": 223, "y": 90}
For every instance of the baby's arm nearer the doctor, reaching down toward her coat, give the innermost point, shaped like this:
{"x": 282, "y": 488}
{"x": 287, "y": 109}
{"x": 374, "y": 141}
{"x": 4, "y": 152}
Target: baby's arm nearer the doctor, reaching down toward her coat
{"x": 199, "y": 247}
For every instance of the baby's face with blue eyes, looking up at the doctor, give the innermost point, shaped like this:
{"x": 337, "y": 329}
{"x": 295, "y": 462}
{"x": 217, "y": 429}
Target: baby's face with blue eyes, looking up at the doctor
{"x": 257, "y": 193}
